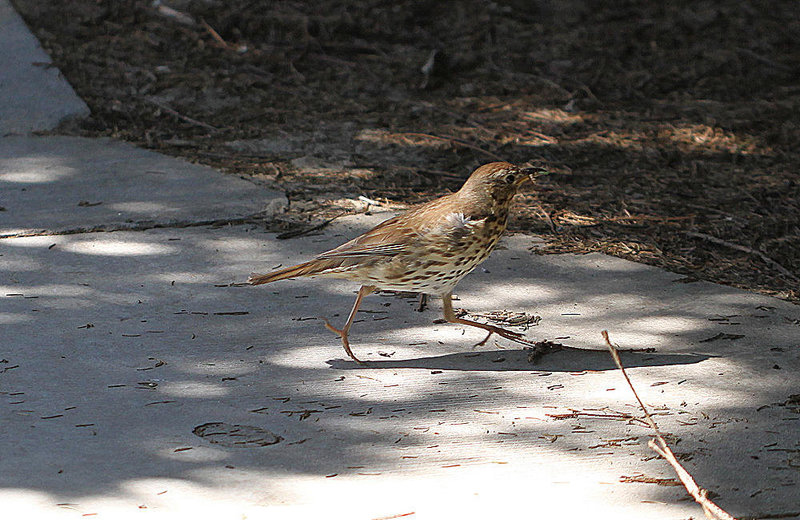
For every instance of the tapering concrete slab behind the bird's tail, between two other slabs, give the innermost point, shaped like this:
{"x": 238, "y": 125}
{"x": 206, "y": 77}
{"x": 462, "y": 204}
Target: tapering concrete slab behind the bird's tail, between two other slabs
{"x": 66, "y": 184}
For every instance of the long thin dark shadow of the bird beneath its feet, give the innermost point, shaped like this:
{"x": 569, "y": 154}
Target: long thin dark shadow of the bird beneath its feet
{"x": 566, "y": 359}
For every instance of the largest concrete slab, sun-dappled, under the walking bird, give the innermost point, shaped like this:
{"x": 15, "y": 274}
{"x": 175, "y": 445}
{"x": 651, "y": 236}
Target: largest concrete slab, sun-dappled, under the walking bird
{"x": 127, "y": 354}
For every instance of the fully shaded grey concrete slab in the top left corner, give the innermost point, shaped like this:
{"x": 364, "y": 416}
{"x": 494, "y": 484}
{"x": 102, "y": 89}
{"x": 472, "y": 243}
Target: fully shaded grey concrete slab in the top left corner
{"x": 34, "y": 96}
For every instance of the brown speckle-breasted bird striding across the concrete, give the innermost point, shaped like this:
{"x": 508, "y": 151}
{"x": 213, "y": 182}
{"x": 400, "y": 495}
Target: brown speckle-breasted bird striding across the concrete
{"x": 428, "y": 249}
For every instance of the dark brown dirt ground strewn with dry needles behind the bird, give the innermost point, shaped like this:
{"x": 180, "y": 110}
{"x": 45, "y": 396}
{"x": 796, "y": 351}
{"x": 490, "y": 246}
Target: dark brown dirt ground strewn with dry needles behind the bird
{"x": 672, "y": 127}
